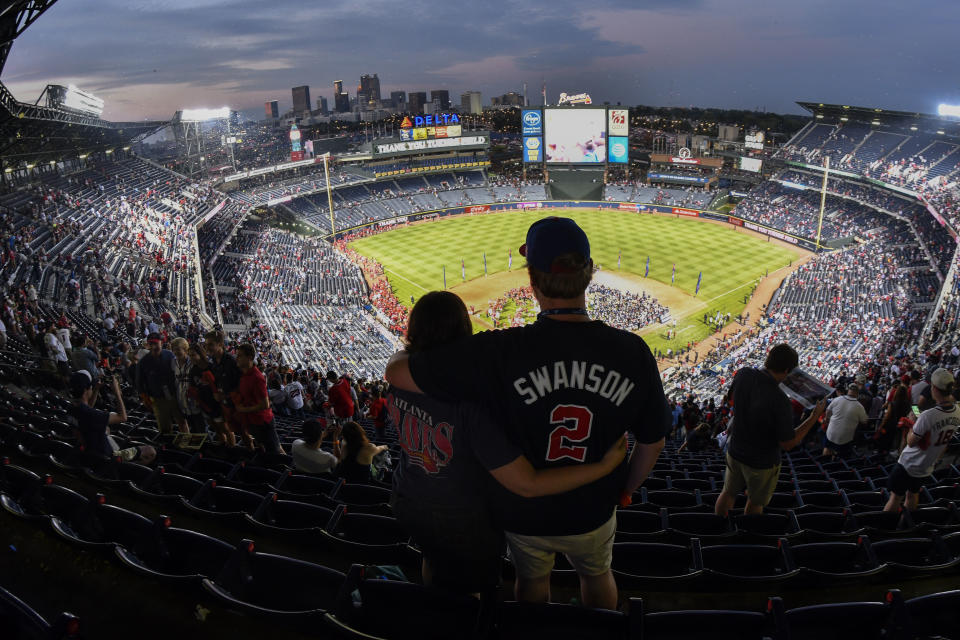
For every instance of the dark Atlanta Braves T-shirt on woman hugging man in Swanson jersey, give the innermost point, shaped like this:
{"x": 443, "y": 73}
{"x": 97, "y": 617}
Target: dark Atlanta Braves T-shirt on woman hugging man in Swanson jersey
{"x": 446, "y": 449}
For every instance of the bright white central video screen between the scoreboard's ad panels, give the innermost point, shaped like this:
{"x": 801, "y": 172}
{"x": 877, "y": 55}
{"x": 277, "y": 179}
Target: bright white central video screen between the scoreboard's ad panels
{"x": 575, "y": 136}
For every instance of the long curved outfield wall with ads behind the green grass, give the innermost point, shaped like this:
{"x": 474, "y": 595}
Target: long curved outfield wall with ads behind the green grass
{"x": 480, "y": 209}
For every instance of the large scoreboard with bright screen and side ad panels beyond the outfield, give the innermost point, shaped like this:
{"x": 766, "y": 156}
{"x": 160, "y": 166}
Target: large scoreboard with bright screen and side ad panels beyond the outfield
{"x": 575, "y": 135}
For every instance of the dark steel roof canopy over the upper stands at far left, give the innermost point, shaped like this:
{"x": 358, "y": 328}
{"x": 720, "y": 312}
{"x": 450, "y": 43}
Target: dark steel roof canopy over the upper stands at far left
{"x": 34, "y": 133}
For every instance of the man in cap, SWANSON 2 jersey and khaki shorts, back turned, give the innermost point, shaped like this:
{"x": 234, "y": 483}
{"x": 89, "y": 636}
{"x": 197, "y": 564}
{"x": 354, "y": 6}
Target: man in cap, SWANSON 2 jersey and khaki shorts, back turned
{"x": 564, "y": 389}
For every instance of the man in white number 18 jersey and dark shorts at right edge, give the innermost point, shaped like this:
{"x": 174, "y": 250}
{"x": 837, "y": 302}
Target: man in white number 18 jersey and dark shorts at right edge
{"x": 925, "y": 444}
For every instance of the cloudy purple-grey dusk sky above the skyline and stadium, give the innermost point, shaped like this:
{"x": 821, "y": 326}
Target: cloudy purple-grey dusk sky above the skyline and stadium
{"x": 147, "y": 59}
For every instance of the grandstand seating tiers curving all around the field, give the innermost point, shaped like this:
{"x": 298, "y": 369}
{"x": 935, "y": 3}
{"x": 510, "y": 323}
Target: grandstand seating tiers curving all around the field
{"x": 225, "y": 542}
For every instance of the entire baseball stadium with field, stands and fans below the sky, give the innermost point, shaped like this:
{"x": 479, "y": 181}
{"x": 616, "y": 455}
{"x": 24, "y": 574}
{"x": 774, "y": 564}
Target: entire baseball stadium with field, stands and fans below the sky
{"x": 231, "y": 405}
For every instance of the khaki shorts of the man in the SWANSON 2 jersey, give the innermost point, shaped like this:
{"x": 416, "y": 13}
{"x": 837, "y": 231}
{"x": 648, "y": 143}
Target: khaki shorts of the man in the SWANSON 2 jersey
{"x": 590, "y": 553}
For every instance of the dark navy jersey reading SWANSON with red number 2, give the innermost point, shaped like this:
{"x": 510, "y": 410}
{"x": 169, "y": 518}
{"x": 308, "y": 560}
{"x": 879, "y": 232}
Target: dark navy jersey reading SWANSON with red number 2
{"x": 564, "y": 393}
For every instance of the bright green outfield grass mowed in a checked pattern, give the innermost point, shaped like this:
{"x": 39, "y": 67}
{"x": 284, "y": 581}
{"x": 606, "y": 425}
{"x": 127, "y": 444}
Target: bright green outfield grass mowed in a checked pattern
{"x": 414, "y": 257}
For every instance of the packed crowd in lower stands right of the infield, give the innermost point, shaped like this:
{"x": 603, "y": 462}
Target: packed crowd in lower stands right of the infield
{"x": 841, "y": 310}
